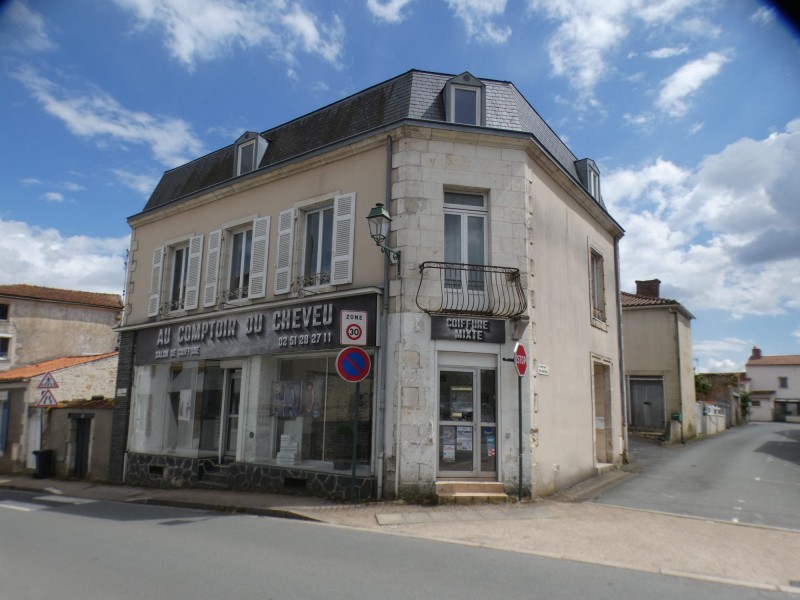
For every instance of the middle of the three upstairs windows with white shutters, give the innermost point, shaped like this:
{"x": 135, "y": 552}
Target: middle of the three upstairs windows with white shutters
{"x": 243, "y": 248}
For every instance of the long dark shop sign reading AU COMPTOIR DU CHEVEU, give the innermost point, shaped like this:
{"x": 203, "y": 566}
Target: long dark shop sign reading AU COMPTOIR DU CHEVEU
{"x": 296, "y": 328}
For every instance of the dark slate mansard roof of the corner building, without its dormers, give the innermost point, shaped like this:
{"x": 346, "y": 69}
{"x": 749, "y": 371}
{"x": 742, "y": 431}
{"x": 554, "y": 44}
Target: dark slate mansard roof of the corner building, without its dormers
{"x": 413, "y": 96}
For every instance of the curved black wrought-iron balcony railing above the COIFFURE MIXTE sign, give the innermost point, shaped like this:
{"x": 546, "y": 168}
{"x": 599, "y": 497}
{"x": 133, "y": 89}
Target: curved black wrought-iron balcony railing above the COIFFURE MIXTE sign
{"x": 481, "y": 290}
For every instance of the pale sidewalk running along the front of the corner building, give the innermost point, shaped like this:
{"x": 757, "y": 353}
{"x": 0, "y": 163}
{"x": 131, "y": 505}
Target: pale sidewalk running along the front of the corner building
{"x": 569, "y": 528}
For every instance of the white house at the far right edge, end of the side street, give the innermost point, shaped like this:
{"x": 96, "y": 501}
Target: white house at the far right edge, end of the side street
{"x": 774, "y": 386}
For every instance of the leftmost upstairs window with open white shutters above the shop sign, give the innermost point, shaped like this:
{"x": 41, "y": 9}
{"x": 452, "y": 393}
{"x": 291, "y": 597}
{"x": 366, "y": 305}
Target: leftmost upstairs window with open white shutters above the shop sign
{"x": 181, "y": 263}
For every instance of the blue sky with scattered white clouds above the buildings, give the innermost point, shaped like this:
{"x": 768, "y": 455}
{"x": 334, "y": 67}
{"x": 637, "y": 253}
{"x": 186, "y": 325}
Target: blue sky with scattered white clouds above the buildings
{"x": 691, "y": 109}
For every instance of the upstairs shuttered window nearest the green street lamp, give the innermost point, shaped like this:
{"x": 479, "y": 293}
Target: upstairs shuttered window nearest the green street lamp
{"x": 325, "y": 248}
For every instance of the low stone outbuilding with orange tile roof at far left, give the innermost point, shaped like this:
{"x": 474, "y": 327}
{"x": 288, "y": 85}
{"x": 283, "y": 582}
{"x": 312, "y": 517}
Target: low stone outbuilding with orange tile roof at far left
{"x": 56, "y": 405}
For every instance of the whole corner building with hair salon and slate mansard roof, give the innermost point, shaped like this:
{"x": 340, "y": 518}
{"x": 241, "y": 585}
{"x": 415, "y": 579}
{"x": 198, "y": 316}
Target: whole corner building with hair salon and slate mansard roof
{"x": 252, "y": 267}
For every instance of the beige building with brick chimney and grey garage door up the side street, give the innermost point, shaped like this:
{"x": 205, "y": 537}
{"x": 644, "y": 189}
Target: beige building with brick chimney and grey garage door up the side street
{"x": 659, "y": 368}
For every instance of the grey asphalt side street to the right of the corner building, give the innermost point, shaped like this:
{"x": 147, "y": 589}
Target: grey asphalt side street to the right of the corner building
{"x": 748, "y": 474}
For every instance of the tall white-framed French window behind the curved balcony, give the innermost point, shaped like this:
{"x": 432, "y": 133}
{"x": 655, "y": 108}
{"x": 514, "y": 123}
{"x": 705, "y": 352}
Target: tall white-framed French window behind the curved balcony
{"x": 464, "y": 238}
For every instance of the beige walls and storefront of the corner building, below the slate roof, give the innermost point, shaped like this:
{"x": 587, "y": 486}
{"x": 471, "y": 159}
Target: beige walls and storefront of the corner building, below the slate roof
{"x": 537, "y": 221}
